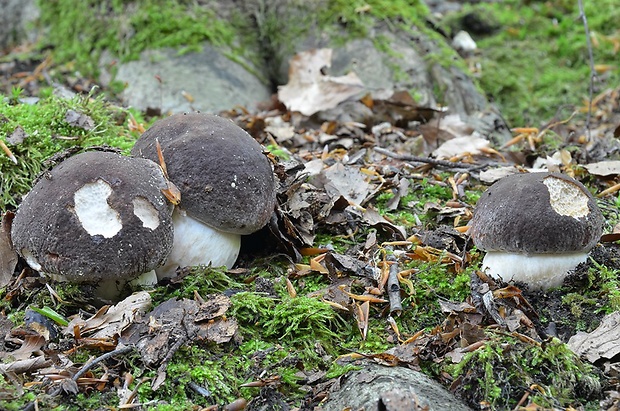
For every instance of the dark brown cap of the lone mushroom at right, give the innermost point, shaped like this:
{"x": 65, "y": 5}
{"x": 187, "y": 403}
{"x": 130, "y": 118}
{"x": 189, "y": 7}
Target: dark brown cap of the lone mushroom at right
{"x": 536, "y": 213}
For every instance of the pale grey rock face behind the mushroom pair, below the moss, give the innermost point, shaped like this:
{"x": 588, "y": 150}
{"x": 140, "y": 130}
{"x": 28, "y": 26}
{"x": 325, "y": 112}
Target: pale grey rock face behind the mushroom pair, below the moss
{"x": 213, "y": 81}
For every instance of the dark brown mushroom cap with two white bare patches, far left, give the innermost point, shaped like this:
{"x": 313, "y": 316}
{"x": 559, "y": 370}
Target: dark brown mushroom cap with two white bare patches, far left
{"x": 97, "y": 215}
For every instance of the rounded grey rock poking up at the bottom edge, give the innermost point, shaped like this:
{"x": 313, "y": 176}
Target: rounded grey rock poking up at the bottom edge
{"x": 377, "y": 387}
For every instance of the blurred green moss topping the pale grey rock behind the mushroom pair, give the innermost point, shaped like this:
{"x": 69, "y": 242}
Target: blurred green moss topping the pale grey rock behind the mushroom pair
{"x": 81, "y": 30}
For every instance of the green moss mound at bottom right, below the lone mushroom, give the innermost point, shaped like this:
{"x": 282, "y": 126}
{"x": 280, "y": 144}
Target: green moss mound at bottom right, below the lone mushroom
{"x": 501, "y": 371}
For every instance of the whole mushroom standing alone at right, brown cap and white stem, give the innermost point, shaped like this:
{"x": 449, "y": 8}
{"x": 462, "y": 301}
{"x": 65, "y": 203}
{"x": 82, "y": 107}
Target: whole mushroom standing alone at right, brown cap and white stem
{"x": 535, "y": 228}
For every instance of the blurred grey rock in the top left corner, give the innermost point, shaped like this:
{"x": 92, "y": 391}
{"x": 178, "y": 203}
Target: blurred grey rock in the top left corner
{"x": 16, "y": 19}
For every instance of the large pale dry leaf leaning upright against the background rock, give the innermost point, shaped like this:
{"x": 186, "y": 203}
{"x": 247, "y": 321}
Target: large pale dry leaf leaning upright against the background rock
{"x": 309, "y": 90}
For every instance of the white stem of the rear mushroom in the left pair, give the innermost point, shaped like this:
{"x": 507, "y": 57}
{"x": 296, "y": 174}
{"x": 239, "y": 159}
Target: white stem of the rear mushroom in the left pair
{"x": 198, "y": 244}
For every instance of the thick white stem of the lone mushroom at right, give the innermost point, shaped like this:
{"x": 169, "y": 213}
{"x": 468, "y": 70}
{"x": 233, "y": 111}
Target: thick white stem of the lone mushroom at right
{"x": 539, "y": 271}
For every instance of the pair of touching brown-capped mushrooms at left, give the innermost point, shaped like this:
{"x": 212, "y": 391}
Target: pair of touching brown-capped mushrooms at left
{"x": 103, "y": 218}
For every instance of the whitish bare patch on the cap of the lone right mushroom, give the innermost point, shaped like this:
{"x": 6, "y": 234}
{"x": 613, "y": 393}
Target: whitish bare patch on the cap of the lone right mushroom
{"x": 567, "y": 198}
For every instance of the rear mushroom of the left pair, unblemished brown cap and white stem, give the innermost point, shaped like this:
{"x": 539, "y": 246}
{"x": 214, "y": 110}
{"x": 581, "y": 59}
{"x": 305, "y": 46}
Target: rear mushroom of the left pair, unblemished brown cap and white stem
{"x": 226, "y": 183}
